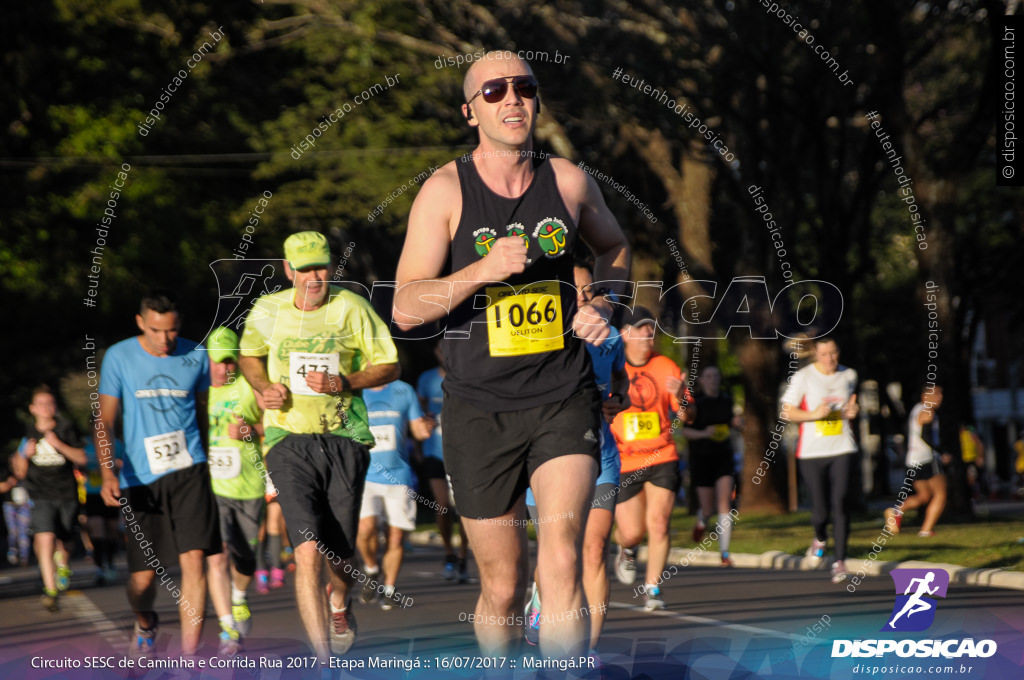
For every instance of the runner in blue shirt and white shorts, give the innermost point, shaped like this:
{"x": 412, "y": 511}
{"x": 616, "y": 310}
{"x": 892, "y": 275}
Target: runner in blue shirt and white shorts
{"x": 389, "y": 495}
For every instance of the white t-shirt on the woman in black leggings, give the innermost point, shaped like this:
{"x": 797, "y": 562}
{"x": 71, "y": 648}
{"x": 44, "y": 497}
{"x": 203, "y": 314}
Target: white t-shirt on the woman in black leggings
{"x": 809, "y": 389}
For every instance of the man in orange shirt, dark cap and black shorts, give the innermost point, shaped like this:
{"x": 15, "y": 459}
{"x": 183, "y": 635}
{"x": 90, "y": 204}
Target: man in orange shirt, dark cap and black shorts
{"x": 650, "y": 460}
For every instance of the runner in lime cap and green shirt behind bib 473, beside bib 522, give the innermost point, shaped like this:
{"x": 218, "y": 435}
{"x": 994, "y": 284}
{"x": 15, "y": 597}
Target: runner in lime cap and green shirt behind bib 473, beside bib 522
{"x": 239, "y": 480}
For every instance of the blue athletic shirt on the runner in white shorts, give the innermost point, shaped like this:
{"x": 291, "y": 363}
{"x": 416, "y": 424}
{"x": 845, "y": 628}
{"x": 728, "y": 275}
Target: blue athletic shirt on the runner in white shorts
{"x": 391, "y": 410}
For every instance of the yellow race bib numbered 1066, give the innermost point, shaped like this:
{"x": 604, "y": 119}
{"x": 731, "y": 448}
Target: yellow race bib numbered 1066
{"x": 525, "y": 322}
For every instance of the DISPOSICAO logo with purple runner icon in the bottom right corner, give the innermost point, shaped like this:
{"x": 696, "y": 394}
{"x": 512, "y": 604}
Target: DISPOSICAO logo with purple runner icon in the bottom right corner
{"x": 915, "y": 612}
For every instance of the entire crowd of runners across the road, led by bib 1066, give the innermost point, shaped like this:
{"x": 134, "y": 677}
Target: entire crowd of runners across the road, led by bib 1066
{"x": 546, "y": 403}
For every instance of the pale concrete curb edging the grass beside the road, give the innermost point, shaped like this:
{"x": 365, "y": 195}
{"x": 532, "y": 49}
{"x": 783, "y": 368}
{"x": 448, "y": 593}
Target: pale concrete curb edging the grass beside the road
{"x": 776, "y": 560}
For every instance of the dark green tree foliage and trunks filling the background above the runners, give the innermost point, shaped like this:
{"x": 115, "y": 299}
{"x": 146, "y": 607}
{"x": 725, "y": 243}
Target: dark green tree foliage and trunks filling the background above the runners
{"x": 86, "y": 75}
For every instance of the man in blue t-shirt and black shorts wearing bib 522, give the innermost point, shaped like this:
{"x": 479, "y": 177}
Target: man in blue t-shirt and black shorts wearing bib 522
{"x": 158, "y": 382}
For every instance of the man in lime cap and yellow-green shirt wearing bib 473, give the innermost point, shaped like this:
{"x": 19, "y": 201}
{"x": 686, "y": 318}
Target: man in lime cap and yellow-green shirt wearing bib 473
{"x": 310, "y": 352}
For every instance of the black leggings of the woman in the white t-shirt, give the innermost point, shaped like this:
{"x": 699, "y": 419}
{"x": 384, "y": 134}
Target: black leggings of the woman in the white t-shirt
{"x": 829, "y": 480}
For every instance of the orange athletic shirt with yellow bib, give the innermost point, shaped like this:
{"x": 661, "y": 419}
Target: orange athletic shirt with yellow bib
{"x": 644, "y": 432}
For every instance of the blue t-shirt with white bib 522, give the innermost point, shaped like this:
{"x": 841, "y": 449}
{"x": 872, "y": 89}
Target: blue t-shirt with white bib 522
{"x": 158, "y": 405}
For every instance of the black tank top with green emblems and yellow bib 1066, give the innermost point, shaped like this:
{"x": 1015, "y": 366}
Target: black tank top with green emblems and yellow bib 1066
{"x": 510, "y": 346}
